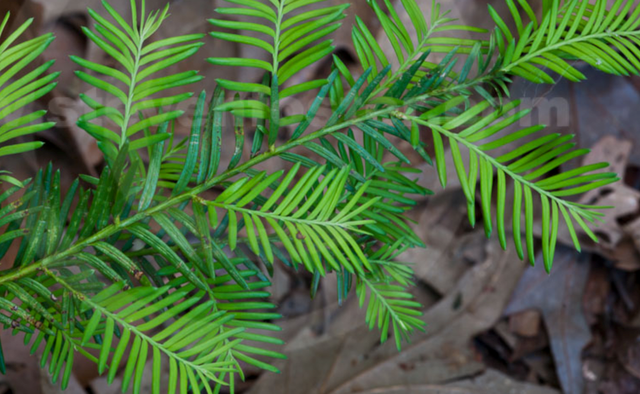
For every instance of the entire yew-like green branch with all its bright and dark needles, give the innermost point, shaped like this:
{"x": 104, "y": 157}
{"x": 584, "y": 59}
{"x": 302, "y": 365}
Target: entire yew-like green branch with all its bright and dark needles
{"x": 151, "y": 267}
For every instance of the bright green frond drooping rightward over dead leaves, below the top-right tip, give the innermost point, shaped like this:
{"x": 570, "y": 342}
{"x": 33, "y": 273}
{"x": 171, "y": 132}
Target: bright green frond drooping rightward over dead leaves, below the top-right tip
{"x": 530, "y": 164}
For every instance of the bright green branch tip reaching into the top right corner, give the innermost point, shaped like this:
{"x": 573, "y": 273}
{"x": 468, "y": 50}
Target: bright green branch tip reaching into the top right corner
{"x": 602, "y": 36}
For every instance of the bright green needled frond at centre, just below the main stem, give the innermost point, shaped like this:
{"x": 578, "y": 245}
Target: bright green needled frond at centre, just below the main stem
{"x": 310, "y": 218}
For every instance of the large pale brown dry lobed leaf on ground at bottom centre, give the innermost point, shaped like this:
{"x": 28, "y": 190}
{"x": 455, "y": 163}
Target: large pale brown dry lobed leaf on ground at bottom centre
{"x": 353, "y": 361}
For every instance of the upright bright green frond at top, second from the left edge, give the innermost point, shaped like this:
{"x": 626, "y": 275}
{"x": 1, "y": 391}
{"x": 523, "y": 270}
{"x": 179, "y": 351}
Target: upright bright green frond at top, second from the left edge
{"x": 139, "y": 83}
